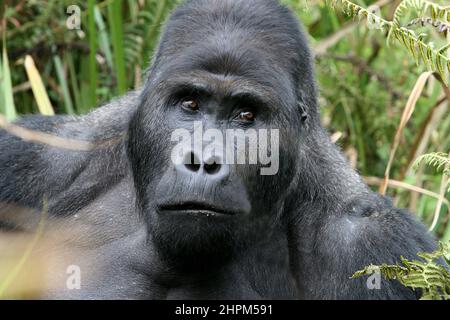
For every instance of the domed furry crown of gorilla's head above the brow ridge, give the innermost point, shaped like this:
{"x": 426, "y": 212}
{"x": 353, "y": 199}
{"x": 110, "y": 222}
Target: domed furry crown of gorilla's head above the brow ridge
{"x": 236, "y": 36}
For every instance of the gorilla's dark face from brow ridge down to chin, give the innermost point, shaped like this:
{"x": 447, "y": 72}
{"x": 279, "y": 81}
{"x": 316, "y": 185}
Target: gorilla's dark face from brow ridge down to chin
{"x": 239, "y": 203}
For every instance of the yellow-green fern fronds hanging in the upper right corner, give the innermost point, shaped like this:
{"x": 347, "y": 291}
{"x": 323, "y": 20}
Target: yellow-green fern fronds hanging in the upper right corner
{"x": 435, "y": 59}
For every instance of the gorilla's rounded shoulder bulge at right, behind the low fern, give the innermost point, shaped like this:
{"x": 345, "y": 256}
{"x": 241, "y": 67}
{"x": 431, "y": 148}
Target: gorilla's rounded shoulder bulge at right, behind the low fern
{"x": 363, "y": 231}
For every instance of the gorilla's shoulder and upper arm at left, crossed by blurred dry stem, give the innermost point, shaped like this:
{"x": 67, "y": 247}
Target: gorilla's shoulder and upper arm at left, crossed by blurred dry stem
{"x": 30, "y": 171}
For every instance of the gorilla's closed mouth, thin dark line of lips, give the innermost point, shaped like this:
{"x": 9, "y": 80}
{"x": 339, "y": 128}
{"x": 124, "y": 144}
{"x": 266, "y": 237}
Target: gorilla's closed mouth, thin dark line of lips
{"x": 198, "y": 208}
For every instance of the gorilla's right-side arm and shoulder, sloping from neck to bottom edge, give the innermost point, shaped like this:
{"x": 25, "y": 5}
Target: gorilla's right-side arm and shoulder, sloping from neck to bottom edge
{"x": 341, "y": 226}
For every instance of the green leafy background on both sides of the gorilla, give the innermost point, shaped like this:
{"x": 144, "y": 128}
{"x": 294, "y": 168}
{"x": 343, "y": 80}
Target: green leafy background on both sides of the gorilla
{"x": 365, "y": 81}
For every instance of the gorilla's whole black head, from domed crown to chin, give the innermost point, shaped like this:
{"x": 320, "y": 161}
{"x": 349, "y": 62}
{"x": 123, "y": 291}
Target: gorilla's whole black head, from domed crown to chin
{"x": 226, "y": 65}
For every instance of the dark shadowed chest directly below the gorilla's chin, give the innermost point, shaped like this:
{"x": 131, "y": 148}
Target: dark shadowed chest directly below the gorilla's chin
{"x": 261, "y": 273}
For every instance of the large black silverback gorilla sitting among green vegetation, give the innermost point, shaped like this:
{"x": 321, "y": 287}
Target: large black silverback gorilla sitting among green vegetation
{"x": 144, "y": 227}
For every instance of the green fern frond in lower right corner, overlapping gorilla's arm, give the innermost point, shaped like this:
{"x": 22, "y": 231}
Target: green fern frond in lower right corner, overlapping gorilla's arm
{"x": 430, "y": 275}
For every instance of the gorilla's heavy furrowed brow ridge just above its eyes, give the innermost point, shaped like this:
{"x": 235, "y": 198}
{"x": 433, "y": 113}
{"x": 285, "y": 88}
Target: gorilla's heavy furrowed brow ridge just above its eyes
{"x": 226, "y": 75}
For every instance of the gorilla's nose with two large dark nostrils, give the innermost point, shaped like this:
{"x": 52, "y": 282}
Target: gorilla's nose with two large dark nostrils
{"x": 210, "y": 165}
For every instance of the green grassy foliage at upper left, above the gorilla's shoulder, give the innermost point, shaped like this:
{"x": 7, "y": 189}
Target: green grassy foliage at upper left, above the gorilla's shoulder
{"x": 82, "y": 68}
